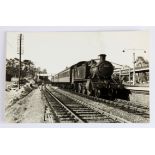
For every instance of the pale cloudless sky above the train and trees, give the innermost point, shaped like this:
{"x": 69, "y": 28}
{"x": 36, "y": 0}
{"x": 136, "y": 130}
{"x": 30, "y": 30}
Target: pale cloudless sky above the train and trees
{"x": 55, "y": 51}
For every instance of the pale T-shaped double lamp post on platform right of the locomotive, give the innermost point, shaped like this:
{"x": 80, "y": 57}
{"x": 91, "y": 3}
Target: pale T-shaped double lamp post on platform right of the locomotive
{"x": 134, "y": 60}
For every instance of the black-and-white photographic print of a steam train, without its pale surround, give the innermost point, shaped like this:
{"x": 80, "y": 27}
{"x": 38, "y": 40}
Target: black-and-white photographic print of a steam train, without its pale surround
{"x": 77, "y": 77}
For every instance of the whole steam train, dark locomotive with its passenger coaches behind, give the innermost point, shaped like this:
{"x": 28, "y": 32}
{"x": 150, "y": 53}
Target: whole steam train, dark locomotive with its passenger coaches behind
{"x": 94, "y": 77}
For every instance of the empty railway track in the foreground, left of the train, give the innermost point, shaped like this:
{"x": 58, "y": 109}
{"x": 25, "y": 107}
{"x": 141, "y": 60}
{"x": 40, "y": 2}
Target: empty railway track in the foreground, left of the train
{"x": 66, "y": 109}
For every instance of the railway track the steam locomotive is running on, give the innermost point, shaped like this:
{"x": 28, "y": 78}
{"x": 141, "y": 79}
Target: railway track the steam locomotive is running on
{"x": 128, "y": 106}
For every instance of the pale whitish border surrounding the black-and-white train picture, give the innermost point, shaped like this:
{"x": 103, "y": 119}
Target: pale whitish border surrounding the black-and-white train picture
{"x": 3, "y": 31}
